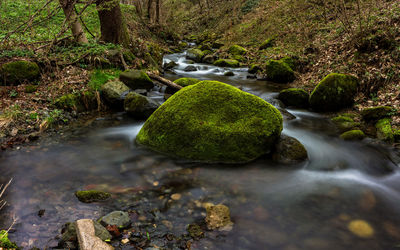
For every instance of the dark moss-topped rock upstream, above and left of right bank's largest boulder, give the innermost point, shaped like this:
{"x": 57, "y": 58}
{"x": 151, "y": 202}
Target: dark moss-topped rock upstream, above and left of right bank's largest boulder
{"x": 279, "y": 72}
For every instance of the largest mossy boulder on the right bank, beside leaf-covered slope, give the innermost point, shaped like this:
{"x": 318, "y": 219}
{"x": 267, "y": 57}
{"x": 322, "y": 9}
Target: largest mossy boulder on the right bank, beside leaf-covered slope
{"x": 334, "y": 92}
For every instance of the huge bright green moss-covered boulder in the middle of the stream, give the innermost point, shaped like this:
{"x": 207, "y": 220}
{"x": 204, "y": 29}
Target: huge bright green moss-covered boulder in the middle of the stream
{"x": 212, "y": 122}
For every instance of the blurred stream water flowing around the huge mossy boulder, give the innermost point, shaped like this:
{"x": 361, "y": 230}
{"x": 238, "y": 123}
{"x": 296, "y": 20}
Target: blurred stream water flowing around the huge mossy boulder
{"x": 304, "y": 206}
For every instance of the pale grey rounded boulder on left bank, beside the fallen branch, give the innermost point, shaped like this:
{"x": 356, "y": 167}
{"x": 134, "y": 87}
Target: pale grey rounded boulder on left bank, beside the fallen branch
{"x": 113, "y": 93}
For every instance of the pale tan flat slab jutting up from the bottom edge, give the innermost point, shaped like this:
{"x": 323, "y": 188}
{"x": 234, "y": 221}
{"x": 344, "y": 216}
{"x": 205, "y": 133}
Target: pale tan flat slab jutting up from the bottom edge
{"x": 87, "y": 238}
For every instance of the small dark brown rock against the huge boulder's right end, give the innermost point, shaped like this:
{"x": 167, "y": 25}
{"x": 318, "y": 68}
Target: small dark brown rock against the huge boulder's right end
{"x": 289, "y": 151}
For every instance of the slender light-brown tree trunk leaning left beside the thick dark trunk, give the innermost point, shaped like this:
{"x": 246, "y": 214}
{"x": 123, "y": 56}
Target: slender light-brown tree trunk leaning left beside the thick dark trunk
{"x": 68, "y": 7}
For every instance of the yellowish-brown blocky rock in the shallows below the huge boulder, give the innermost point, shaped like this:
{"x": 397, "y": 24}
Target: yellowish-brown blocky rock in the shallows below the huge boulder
{"x": 218, "y": 217}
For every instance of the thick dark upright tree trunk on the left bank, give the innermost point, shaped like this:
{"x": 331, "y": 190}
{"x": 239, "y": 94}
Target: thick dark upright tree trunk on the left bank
{"x": 112, "y": 24}
